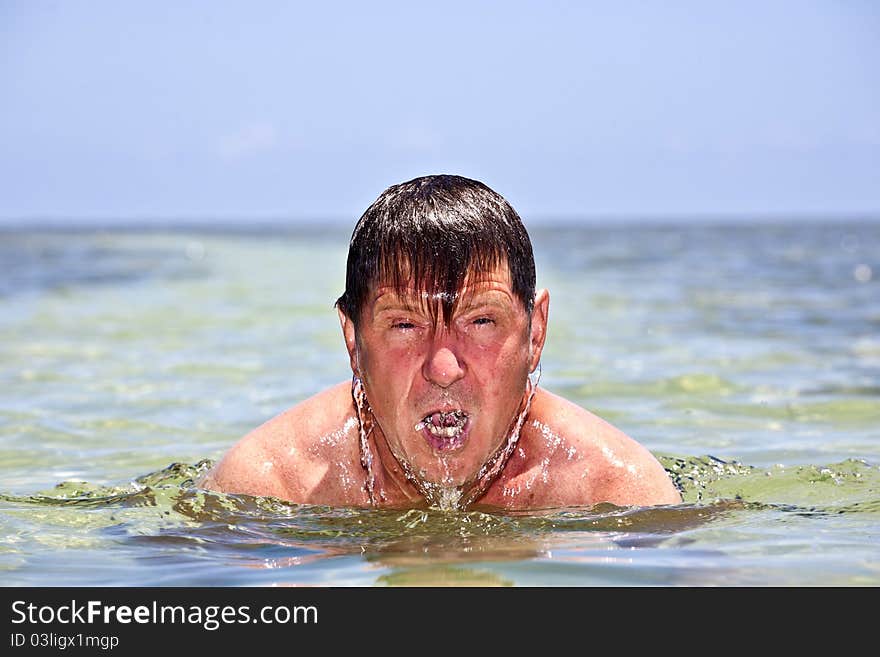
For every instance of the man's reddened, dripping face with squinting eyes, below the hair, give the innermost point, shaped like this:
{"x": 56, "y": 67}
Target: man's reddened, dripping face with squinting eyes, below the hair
{"x": 445, "y": 395}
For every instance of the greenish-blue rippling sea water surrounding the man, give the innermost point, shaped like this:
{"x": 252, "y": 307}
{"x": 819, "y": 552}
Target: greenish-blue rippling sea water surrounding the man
{"x": 745, "y": 356}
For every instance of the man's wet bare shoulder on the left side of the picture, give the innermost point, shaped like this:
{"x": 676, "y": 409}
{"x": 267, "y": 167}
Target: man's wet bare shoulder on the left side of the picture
{"x": 306, "y": 454}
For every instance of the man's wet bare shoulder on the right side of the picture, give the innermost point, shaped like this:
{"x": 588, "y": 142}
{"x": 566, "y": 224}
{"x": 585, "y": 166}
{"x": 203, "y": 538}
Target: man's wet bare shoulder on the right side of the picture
{"x": 570, "y": 456}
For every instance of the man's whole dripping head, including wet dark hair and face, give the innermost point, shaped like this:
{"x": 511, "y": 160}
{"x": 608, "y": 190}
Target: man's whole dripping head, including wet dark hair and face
{"x": 442, "y": 322}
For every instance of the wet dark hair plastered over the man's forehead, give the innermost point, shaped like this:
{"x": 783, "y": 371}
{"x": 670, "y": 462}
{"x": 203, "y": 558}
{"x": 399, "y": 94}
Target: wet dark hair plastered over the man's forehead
{"x": 430, "y": 233}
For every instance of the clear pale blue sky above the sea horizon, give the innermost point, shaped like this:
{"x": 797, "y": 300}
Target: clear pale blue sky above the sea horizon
{"x": 190, "y": 110}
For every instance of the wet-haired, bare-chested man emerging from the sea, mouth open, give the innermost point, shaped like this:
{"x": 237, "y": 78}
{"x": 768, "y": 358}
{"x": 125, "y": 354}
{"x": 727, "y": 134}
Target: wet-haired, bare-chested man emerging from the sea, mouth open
{"x": 444, "y": 332}
